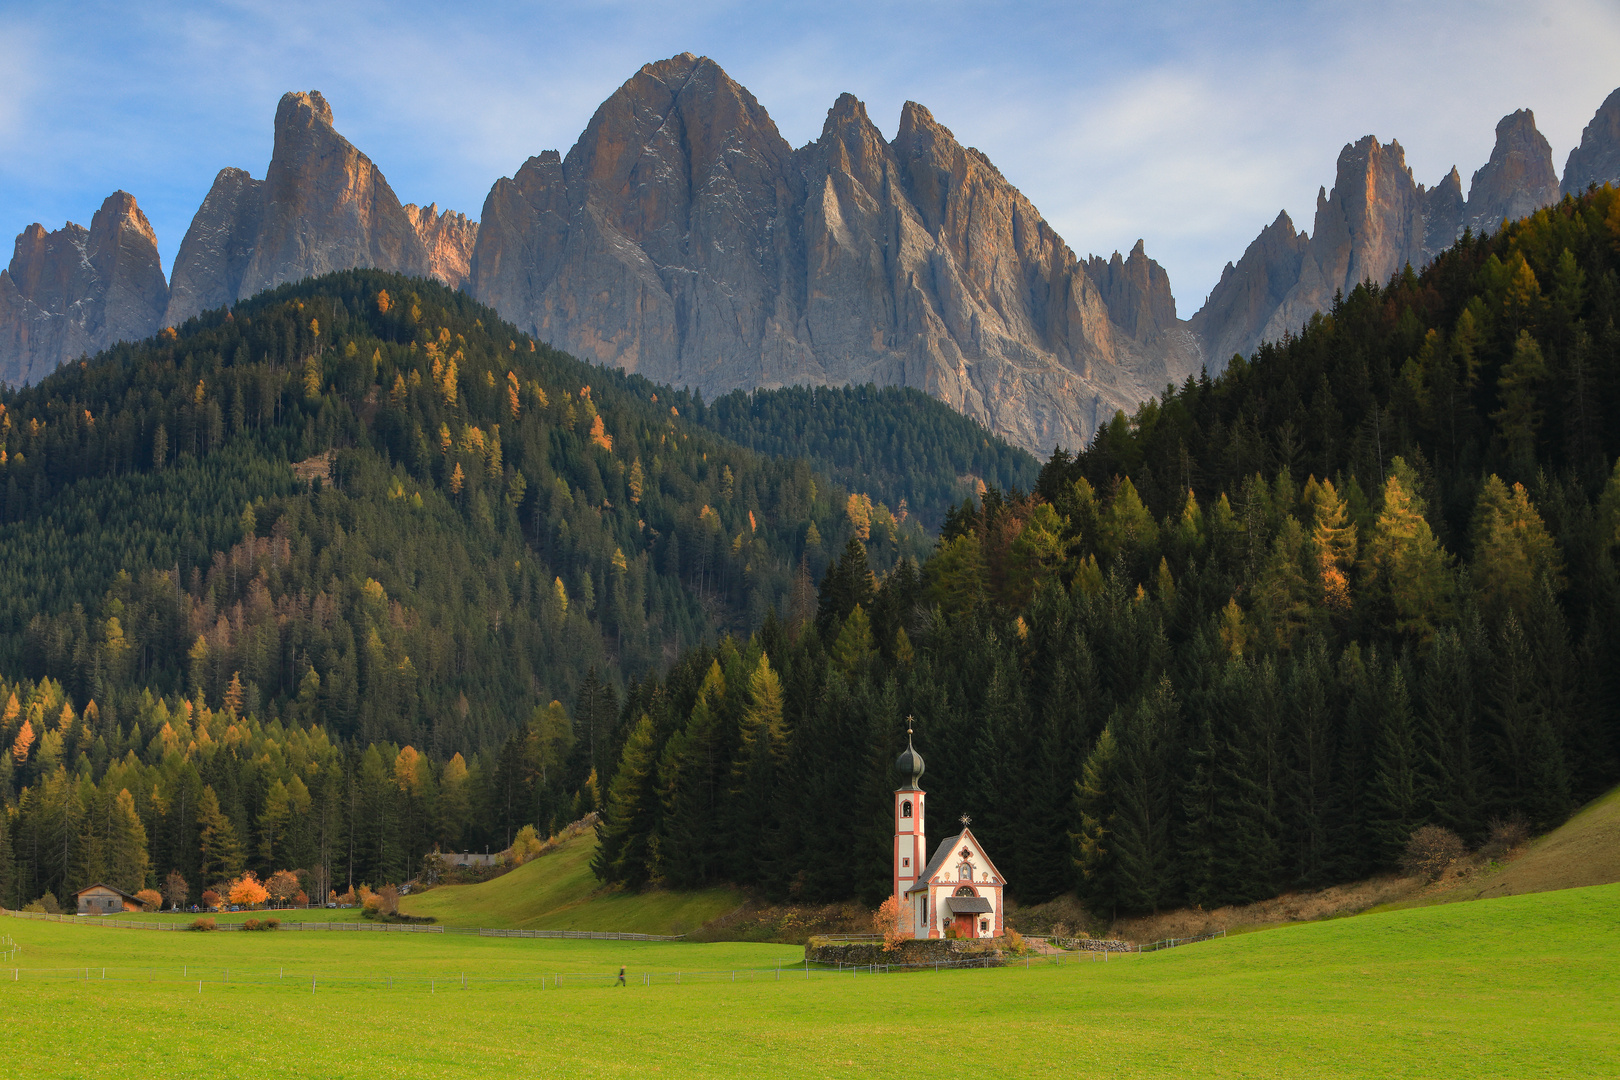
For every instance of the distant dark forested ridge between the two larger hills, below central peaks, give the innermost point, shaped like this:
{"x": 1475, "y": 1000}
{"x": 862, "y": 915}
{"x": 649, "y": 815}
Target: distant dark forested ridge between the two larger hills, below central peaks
{"x": 895, "y": 444}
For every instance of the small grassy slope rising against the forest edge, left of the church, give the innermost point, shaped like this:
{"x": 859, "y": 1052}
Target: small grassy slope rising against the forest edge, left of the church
{"x": 558, "y": 891}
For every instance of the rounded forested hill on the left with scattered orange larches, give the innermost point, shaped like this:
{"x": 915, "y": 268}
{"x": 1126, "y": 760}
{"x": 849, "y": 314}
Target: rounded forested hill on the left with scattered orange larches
{"x": 354, "y": 545}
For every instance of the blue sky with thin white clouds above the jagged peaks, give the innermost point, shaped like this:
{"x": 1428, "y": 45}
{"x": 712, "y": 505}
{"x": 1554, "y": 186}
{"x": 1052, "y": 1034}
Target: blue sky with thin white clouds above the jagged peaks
{"x": 1187, "y": 125}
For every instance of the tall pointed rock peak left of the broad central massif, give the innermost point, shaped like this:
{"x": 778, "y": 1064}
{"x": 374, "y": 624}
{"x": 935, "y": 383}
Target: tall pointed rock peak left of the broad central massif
{"x": 323, "y": 206}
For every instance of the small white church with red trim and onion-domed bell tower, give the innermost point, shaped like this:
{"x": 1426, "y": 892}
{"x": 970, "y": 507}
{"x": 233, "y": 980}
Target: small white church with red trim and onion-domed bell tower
{"x": 960, "y": 891}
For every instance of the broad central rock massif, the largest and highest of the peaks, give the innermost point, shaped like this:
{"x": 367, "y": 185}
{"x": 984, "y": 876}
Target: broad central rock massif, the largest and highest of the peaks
{"x": 686, "y": 240}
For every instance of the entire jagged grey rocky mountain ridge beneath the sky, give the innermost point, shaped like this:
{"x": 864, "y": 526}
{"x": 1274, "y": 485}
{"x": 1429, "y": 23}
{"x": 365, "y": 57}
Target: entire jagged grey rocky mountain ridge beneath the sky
{"x": 684, "y": 239}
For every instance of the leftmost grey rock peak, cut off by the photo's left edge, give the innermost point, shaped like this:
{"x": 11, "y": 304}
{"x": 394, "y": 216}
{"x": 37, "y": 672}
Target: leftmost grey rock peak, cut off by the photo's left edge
{"x": 75, "y": 291}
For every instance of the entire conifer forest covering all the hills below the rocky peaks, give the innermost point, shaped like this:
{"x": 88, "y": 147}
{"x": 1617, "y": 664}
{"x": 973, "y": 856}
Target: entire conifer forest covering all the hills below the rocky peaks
{"x": 357, "y": 571}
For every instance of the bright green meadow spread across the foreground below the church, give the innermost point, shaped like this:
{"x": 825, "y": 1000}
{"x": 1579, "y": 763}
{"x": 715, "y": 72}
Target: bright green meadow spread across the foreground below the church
{"x": 1517, "y": 987}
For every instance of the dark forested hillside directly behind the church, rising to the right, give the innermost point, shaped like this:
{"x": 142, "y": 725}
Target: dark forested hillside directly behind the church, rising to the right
{"x": 1248, "y": 640}
